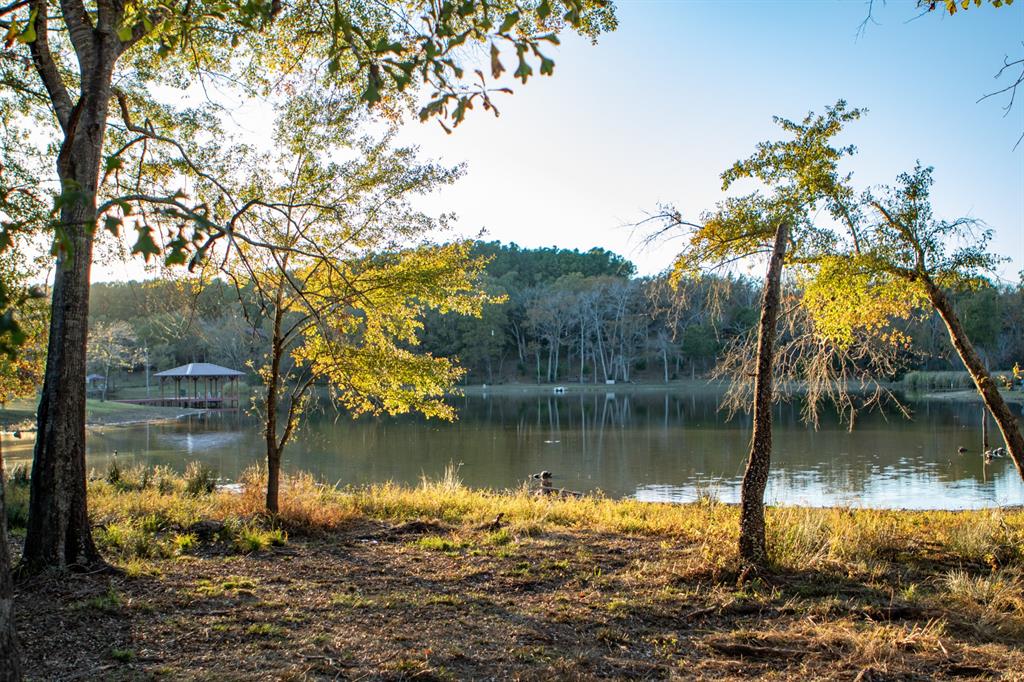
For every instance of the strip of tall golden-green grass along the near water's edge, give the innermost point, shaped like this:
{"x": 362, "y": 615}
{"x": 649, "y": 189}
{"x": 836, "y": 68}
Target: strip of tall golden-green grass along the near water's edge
{"x": 798, "y": 538}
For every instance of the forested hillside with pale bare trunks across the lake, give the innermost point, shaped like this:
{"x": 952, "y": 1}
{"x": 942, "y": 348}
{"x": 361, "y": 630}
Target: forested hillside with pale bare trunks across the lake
{"x": 568, "y": 317}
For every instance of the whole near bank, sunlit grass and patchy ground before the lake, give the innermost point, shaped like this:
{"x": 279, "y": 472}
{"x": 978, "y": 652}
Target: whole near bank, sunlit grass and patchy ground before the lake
{"x": 397, "y": 583}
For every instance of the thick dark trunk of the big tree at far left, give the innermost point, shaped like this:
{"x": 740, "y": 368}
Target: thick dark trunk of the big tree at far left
{"x": 59, "y": 535}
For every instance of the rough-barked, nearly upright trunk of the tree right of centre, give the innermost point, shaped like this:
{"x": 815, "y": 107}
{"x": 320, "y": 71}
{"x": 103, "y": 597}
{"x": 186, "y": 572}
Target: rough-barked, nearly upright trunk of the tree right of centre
{"x": 752, "y": 496}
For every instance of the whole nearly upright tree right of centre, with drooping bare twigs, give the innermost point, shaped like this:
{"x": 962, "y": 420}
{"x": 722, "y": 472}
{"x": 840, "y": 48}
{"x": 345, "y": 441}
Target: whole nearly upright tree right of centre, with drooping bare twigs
{"x": 801, "y": 218}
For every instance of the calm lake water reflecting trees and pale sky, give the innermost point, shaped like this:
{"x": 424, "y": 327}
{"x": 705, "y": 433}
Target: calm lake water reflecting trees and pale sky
{"x": 648, "y": 445}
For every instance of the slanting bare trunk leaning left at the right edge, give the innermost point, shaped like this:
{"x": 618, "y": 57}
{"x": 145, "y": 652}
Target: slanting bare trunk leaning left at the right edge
{"x": 990, "y": 393}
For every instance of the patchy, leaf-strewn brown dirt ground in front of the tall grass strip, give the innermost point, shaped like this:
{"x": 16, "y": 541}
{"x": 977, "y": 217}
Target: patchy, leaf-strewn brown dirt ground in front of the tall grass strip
{"x": 428, "y": 602}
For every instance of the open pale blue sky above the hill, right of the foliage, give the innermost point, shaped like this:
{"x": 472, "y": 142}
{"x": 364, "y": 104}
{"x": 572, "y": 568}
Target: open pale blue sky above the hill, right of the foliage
{"x": 658, "y": 109}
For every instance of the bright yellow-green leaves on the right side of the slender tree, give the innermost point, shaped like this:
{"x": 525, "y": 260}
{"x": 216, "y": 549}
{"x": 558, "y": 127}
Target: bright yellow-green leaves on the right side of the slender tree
{"x": 383, "y": 373}
